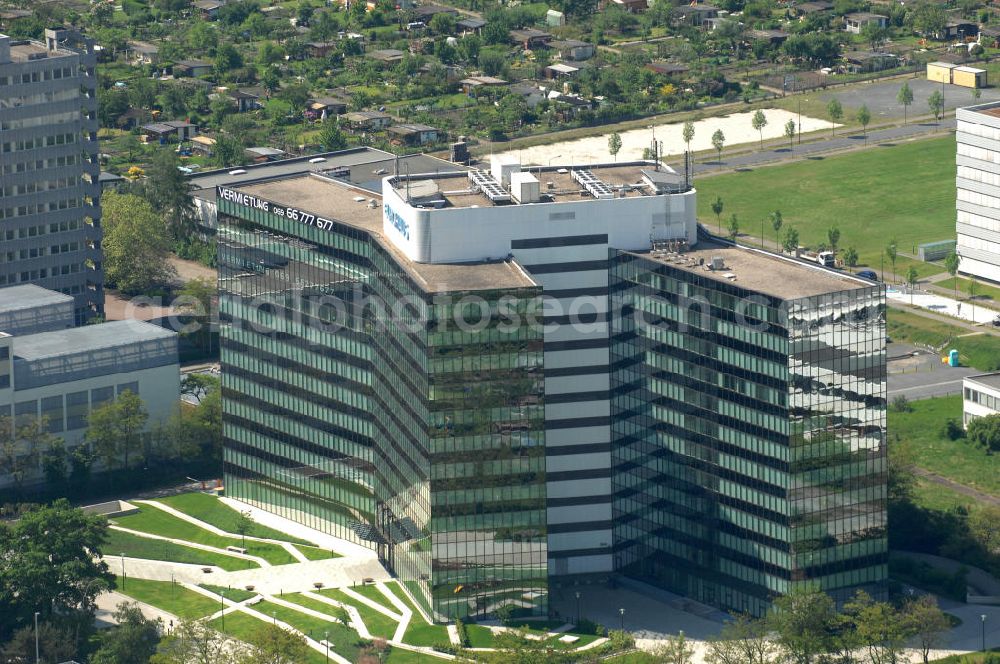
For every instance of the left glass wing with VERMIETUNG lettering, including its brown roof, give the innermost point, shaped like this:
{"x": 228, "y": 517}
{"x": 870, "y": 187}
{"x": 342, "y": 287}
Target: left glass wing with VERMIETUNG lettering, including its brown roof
{"x": 377, "y": 400}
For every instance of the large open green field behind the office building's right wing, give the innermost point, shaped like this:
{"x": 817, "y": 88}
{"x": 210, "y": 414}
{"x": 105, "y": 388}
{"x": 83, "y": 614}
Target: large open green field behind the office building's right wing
{"x": 906, "y": 191}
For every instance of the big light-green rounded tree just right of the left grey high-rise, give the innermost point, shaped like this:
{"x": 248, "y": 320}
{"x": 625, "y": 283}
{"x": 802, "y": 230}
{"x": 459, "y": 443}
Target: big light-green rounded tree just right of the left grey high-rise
{"x": 136, "y": 245}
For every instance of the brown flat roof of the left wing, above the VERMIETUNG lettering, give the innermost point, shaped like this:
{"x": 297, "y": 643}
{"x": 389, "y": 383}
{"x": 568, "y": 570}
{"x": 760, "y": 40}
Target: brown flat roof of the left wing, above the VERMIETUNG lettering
{"x": 336, "y": 200}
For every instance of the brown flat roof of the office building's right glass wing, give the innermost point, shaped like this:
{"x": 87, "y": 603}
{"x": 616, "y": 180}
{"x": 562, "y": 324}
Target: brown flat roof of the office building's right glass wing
{"x": 759, "y": 271}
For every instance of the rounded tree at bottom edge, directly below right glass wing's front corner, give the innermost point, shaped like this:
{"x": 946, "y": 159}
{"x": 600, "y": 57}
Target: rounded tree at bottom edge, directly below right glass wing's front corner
{"x": 804, "y": 622}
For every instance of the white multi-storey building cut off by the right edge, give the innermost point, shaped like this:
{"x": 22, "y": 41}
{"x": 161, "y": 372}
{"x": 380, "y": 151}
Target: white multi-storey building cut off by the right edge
{"x": 978, "y": 190}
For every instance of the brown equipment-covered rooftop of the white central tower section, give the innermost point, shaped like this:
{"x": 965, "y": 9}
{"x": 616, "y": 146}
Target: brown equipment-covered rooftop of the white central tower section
{"x": 556, "y": 183}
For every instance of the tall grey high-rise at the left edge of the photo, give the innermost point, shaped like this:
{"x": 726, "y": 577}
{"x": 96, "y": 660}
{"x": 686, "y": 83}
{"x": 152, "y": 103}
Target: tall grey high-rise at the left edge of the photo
{"x": 50, "y": 215}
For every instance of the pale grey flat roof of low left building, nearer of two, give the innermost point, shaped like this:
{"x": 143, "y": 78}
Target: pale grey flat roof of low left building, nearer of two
{"x": 78, "y": 340}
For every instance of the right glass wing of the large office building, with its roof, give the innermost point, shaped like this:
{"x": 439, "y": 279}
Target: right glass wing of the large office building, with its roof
{"x": 748, "y": 414}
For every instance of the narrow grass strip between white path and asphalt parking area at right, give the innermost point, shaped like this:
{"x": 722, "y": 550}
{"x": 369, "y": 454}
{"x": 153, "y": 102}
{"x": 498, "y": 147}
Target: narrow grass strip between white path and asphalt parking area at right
{"x": 980, "y": 351}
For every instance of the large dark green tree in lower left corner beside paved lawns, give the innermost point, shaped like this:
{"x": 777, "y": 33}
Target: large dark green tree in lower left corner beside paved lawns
{"x": 50, "y": 565}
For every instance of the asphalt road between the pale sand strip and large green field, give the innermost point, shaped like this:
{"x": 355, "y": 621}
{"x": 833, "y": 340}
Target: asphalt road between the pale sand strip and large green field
{"x": 815, "y": 149}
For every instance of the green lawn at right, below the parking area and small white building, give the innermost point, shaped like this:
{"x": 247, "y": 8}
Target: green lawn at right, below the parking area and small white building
{"x": 957, "y": 460}
